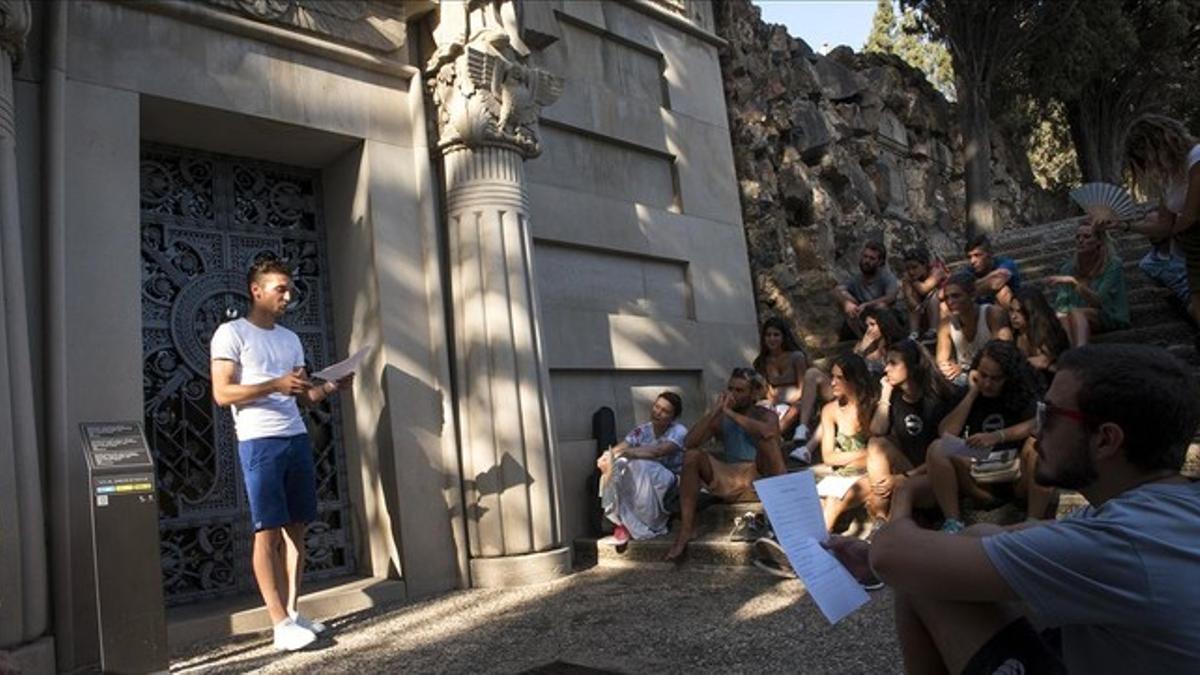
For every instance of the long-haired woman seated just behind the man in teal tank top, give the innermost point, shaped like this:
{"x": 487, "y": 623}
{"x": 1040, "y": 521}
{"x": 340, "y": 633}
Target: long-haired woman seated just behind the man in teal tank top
{"x": 794, "y": 389}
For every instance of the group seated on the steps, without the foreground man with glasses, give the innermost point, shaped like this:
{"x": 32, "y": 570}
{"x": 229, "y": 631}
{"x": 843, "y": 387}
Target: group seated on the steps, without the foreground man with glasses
{"x": 886, "y": 408}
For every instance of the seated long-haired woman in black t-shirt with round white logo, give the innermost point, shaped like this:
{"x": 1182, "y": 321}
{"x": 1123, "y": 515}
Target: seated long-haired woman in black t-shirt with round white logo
{"x": 914, "y": 401}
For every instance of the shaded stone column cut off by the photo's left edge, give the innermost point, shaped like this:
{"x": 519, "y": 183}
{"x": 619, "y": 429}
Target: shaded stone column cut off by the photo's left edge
{"x": 23, "y": 584}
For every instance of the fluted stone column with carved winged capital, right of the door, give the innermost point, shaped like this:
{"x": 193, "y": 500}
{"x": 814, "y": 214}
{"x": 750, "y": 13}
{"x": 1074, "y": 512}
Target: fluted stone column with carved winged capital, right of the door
{"x": 488, "y": 103}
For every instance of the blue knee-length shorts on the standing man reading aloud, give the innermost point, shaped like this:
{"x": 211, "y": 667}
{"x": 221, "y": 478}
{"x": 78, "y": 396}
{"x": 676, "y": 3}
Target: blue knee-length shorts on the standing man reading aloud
{"x": 281, "y": 481}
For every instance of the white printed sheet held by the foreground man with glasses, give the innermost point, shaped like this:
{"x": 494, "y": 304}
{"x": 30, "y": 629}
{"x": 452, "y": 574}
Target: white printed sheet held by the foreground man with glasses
{"x": 795, "y": 512}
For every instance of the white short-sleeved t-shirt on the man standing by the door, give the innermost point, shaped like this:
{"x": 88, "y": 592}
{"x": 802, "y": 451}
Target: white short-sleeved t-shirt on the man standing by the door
{"x": 261, "y": 355}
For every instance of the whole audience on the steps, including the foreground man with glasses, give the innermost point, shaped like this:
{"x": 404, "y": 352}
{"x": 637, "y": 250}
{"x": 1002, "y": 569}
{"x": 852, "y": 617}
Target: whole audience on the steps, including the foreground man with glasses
{"x": 1012, "y": 404}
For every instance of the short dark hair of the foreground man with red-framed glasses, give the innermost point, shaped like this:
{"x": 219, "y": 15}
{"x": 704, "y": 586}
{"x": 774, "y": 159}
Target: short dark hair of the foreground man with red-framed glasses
{"x": 1145, "y": 391}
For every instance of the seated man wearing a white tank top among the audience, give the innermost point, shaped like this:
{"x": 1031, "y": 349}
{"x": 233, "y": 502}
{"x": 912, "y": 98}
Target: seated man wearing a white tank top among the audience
{"x": 970, "y": 327}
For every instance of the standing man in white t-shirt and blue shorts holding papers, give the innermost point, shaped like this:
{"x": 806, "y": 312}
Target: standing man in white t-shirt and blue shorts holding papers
{"x": 259, "y": 369}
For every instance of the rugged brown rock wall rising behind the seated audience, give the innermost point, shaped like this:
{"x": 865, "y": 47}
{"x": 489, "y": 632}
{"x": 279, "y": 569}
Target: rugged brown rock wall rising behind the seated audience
{"x": 837, "y": 150}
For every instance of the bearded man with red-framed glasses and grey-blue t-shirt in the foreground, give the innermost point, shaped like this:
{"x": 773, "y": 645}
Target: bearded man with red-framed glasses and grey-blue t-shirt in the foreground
{"x": 1117, "y": 578}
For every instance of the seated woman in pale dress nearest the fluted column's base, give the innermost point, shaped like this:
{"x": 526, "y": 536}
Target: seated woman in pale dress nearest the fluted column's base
{"x": 637, "y": 474}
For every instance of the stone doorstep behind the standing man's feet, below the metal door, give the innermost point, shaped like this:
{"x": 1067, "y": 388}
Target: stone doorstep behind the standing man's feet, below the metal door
{"x": 247, "y": 614}
